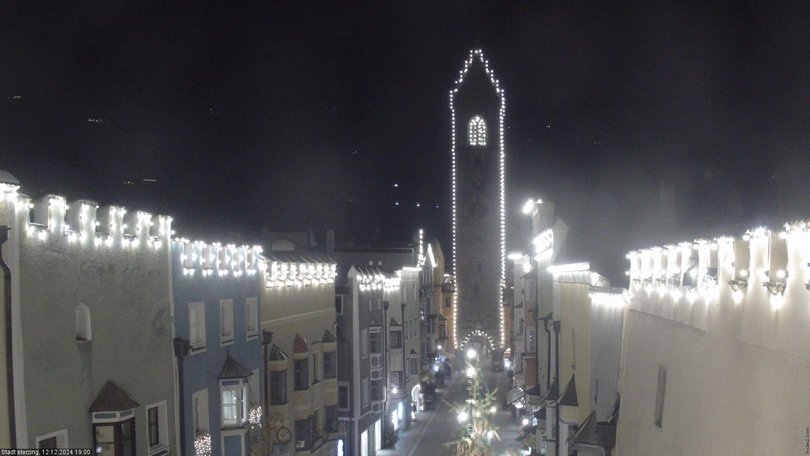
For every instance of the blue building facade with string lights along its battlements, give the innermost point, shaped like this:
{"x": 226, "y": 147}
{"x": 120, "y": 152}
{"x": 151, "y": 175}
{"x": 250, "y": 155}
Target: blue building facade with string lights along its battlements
{"x": 215, "y": 290}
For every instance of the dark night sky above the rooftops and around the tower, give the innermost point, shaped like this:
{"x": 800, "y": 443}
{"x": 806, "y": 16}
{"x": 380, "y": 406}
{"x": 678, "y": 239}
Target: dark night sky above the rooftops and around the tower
{"x": 646, "y": 123}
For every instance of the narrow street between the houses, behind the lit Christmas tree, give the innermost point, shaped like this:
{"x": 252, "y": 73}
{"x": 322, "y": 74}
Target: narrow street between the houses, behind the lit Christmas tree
{"x": 433, "y": 429}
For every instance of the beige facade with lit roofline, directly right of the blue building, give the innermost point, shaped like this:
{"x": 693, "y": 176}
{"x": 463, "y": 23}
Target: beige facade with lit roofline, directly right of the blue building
{"x": 298, "y": 315}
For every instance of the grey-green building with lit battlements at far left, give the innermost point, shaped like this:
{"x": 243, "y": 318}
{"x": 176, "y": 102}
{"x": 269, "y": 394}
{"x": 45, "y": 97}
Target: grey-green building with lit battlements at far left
{"x": 91, "y": 340}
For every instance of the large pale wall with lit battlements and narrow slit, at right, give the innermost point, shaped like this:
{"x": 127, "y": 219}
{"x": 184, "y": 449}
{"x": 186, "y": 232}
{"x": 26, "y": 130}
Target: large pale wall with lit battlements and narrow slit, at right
{"x": 727, "y": 320}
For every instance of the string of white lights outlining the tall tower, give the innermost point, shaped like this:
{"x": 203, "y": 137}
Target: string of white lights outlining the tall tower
{"x": 477, "y": 53}
